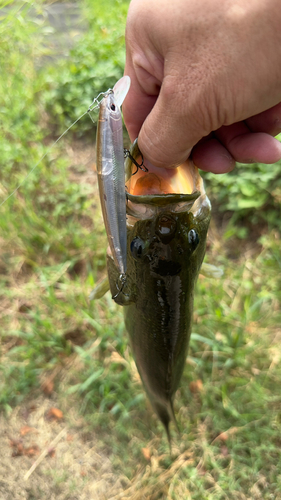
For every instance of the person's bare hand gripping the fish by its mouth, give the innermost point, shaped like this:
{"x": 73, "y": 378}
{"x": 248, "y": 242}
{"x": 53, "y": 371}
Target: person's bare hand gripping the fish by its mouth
{"x": 205, "y": 81}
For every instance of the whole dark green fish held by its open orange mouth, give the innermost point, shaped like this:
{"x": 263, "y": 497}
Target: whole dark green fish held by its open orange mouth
{"x": 168, "y": 214}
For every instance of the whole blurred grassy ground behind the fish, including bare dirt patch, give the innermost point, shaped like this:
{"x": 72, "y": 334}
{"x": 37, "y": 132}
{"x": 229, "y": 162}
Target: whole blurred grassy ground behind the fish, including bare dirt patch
{"x": 70, "y": 396}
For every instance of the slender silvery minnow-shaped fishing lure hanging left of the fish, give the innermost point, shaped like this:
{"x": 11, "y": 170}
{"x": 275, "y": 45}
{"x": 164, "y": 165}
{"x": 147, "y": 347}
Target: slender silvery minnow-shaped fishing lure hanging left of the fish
{"x": 111, "y": 178}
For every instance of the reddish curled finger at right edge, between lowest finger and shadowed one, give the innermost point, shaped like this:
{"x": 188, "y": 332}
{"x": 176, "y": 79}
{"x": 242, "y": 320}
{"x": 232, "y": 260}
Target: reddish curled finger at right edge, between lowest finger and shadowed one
{"x": 248, "y": 147}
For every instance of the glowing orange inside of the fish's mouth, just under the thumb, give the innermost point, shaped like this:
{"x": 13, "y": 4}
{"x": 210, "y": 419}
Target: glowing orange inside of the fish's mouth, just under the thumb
{"x": 163, "y": 180}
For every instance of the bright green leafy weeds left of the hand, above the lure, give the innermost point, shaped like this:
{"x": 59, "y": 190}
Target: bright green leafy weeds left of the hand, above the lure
{"x": 95, "y": 64}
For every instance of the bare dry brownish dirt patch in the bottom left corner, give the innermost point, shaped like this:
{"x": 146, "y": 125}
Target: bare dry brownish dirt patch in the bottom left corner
{"x": 69, "y": 465}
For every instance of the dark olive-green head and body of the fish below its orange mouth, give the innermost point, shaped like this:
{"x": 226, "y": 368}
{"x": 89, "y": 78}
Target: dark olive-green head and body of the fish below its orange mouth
{"x": 164, "y": 255}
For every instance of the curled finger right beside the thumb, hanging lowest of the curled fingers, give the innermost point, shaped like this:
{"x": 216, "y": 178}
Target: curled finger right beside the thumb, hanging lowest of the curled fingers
{"x": 210, "y": 155}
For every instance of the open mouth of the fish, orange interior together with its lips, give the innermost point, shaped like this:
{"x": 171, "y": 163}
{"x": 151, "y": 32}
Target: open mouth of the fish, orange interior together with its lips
{"x": 157, "y": 189}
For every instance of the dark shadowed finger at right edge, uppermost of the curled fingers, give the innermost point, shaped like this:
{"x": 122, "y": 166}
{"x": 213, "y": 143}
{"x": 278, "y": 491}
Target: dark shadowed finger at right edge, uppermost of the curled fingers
{"x": 268, "y": 121}
